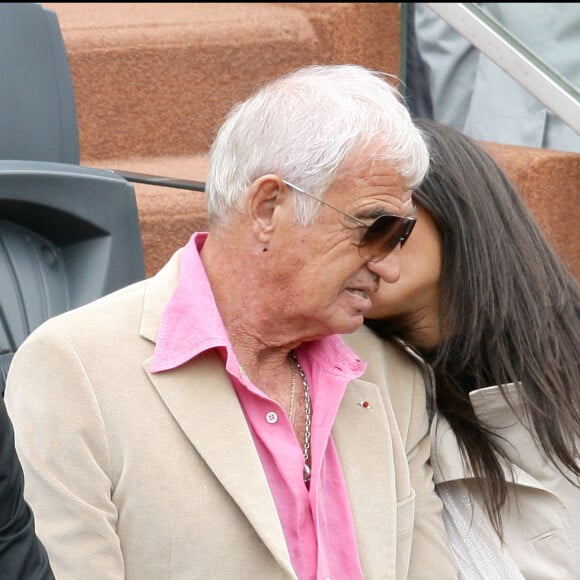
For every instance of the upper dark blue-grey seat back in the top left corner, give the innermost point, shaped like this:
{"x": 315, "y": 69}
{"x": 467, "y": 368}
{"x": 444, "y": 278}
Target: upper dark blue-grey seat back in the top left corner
{"x": 38, "y": 116}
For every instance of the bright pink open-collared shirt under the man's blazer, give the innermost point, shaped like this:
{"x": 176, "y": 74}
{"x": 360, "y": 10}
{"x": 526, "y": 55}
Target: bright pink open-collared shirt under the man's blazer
{"x": 317, "y": 523}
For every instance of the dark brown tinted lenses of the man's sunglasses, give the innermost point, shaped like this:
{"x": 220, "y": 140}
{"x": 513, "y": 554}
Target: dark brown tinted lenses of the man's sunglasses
{"x": 384, "y": 235}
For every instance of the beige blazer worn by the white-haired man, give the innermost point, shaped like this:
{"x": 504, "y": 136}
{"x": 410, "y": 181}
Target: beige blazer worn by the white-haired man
{"x": 143, "y": 476}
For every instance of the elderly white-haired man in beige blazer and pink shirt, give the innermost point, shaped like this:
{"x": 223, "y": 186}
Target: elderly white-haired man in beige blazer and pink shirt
{"x": 211, "y": 422}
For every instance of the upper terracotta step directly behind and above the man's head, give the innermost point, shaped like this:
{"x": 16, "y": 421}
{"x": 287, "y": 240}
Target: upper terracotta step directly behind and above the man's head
{"x": 156, "y": 79}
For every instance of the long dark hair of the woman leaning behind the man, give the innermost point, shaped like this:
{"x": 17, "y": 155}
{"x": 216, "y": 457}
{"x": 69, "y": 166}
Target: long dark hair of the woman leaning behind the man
{"x": 512, "y": 311}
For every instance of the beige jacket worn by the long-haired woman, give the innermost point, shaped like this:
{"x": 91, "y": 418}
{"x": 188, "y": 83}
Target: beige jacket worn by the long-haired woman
{"x": 542, "y": 517}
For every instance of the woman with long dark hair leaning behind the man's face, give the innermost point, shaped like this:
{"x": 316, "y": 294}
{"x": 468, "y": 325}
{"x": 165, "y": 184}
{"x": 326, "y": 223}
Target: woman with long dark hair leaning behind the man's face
{"x": 486, "y": 302}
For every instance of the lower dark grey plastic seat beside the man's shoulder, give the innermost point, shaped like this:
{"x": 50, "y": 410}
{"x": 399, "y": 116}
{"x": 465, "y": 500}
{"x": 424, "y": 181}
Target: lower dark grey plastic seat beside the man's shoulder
{"x": 68, "y": 235}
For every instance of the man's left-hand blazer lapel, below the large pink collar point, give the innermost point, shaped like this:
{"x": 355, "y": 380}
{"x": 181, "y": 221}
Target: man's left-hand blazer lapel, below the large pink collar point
{"x": 200, "y": 396}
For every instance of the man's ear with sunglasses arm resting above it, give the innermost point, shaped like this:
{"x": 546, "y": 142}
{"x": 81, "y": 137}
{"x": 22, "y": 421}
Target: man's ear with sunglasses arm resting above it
{"x": 263, "y": 198}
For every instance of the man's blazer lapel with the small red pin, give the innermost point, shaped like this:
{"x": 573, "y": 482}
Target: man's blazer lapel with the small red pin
{"x": 364, "y": 442}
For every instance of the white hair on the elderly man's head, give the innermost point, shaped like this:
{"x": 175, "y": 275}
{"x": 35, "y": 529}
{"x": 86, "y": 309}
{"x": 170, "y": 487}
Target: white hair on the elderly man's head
{"x": 303, "y": 126}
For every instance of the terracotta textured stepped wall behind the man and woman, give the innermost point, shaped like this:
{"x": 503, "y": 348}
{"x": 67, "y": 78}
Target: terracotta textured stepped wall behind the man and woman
{"x": 153, "y": 82}
